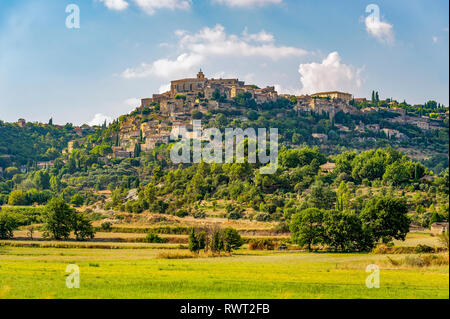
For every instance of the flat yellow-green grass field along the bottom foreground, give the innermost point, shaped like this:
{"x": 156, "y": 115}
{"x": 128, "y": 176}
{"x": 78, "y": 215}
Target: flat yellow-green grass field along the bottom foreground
{"x": 138, "y": 273}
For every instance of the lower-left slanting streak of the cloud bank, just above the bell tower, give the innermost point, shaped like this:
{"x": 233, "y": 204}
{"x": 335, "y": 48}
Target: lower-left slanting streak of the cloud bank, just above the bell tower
{"x": 166, "y": 68}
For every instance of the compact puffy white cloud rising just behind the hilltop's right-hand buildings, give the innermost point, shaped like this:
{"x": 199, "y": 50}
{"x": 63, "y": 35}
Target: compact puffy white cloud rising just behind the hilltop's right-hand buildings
{"x": 329, "y": 75}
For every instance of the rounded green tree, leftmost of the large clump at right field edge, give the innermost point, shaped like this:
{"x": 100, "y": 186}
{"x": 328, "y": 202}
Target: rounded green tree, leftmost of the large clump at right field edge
{"x": 306, "y": 227}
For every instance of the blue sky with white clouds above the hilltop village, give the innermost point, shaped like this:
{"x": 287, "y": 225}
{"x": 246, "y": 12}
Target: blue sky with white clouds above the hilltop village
{"x": 125, "y": 50}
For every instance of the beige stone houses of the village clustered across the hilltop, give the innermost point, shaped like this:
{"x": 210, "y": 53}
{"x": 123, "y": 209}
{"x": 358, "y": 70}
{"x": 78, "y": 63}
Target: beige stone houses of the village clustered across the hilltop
{"x": 200, "y": 94}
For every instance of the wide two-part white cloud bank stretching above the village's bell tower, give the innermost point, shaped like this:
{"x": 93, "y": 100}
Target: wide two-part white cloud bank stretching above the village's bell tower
{"x": 211, "y": 42}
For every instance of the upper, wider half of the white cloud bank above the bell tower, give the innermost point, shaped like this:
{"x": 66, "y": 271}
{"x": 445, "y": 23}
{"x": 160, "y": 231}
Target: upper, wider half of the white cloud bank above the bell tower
{"x": 216, "y": 42}
